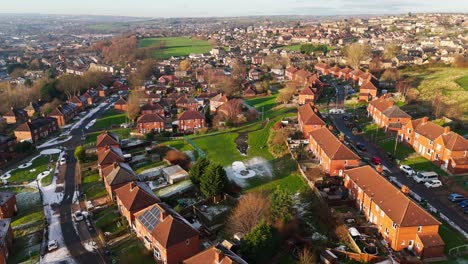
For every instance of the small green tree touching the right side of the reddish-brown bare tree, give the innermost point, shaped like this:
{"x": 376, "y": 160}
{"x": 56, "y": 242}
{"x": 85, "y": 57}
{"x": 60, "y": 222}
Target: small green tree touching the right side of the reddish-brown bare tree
{"x": 280, "y": 205}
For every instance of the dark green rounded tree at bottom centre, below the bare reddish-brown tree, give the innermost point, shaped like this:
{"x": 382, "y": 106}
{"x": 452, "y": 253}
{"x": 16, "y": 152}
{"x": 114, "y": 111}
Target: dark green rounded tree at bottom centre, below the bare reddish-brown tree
{"x": 260, "y": 244}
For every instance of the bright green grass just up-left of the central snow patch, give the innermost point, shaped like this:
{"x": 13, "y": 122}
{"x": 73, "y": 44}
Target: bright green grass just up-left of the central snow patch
{"x": 220, "y": 148}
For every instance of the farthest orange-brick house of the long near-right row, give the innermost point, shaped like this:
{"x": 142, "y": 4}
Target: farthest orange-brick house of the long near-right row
{"x": 309, "y": 119}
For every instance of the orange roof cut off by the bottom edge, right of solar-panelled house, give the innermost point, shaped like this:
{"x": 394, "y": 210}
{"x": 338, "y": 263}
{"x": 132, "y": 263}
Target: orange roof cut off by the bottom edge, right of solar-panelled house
{"x": 216, "y": 254}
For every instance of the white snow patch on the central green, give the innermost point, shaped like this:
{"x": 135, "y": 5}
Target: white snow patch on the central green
{"x": 255, "y": 167}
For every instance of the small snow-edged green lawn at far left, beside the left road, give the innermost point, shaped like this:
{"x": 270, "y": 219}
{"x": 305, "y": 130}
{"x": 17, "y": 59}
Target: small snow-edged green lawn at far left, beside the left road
{"x": 39, "y": 165}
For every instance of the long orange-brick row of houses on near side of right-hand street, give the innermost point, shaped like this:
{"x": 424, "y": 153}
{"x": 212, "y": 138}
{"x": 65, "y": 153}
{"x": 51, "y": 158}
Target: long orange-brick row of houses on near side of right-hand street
{"x": 400, "y": 221}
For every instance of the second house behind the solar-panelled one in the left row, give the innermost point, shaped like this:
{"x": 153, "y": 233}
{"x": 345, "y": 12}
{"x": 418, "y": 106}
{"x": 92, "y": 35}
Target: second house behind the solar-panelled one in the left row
{"x": 117, "y": 175}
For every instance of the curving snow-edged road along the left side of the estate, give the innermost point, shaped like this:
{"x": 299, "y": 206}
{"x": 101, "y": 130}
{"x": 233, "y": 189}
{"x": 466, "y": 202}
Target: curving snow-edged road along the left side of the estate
{"x": 75, "y": 238}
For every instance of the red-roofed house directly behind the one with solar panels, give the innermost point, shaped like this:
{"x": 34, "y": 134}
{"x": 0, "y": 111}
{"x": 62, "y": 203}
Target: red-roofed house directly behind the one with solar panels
{"x": 134, "y": 197}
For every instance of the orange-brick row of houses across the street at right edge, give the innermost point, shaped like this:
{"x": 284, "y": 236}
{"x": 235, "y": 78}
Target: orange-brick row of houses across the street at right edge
{"x": 438, "y": 144}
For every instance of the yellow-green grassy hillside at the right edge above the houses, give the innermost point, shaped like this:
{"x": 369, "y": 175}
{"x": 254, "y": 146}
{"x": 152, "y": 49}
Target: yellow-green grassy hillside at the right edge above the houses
{"x": 451, "y": 81}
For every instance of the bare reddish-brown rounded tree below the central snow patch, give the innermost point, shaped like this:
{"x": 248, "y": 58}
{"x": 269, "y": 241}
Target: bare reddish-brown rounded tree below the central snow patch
{"x": 251, "y": 209}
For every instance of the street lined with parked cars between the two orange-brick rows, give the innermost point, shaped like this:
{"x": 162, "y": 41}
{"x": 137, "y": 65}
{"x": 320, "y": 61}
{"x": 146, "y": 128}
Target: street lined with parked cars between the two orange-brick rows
{"x": 437, "y": 197}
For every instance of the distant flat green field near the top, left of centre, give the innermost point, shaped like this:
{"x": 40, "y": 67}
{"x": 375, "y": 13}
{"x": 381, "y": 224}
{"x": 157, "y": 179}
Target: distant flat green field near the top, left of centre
{"x": 176, "y": 46}
